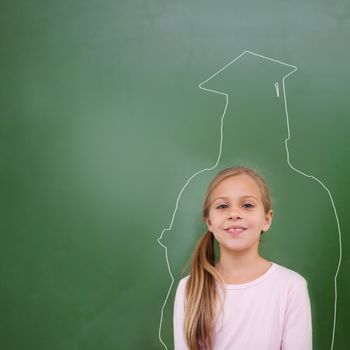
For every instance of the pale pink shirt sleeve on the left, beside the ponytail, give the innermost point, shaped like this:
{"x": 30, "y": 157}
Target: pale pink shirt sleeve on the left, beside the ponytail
{"x": 179, "y": 316}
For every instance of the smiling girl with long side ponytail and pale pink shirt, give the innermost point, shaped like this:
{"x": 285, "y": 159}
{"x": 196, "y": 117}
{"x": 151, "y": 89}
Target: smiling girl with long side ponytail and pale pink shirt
{"x": 240, "y": 301}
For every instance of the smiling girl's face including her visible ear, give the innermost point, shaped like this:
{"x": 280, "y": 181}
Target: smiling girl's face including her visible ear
{"x": 237, "y": 215}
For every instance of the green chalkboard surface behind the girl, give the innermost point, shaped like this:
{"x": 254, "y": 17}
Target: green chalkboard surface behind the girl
{"x": 102, "y": 123}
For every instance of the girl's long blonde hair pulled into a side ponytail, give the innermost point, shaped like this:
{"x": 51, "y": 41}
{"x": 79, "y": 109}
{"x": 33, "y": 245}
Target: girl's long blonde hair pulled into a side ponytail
{"x": 201, "y": 293}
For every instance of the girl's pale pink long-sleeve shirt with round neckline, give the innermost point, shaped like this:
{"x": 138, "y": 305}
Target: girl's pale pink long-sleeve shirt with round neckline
{"x": 270, "y": 313}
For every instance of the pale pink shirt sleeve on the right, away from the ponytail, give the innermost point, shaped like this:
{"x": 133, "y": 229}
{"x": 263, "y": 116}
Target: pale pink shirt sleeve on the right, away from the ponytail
{"x": 297, "y": 331}
